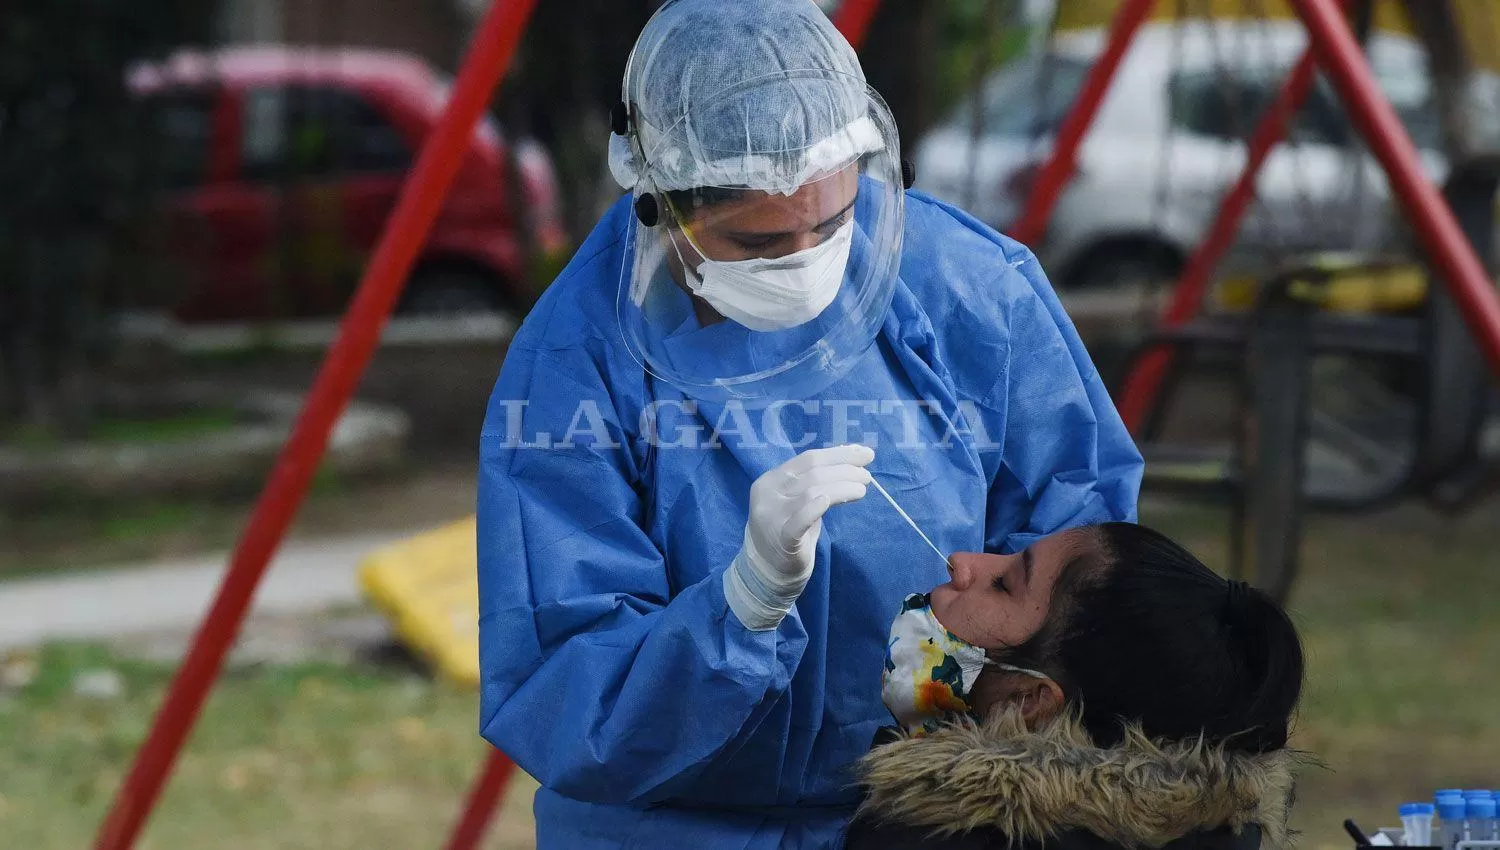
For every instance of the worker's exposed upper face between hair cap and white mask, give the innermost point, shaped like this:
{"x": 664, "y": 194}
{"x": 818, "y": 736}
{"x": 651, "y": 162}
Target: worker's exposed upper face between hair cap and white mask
{"x": 767, "y": 227}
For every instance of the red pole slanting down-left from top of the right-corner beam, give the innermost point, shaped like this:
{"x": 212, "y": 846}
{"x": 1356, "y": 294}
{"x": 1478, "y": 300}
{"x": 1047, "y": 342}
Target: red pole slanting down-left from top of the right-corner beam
{"x": 1145, "y": 380}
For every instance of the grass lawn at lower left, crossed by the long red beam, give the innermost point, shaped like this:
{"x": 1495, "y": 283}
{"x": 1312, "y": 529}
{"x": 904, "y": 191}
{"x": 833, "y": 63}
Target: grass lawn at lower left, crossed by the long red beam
{"x": 311, "y": 756}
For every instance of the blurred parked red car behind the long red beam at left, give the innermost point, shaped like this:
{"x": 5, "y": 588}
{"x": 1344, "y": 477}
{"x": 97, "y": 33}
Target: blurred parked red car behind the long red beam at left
{"x": 281, "y": 166}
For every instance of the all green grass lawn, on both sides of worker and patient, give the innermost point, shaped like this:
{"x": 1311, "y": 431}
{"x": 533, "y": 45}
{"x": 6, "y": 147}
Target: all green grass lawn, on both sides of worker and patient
{"x": 1400, "y": 612}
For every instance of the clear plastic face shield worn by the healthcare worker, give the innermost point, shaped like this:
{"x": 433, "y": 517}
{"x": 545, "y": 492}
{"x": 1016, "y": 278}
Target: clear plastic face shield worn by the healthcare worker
{"x": 763, "y": 269}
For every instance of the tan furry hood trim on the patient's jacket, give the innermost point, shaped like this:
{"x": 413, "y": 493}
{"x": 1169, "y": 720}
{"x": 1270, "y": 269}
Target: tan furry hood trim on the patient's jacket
{"x": 1037, "y": 785}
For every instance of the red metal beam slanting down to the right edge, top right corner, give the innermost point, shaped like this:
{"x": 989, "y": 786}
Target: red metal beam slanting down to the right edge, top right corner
{"x": 1457, "y": 265}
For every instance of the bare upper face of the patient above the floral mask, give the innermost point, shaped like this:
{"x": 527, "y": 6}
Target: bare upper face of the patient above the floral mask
{"x": 998, "y": 602}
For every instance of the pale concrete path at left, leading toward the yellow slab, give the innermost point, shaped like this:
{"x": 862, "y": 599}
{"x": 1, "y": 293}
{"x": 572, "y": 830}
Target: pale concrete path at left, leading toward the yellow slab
{"x": 307, "y": 578}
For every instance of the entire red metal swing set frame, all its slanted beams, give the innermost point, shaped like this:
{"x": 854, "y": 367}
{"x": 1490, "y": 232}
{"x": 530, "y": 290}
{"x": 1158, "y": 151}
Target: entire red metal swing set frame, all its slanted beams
{"x": 1331, "y": 46}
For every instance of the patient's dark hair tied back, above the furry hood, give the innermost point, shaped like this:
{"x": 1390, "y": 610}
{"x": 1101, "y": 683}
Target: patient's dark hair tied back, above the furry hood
{"x": 1142, "y": 632}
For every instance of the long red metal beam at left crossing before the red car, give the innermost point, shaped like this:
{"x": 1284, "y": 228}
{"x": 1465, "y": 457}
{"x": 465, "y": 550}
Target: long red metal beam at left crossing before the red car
{"x": 422, "y": 197}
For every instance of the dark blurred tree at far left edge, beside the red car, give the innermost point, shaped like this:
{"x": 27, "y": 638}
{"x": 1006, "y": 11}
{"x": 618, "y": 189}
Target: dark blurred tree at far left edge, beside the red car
{"x": 74, "y": 173}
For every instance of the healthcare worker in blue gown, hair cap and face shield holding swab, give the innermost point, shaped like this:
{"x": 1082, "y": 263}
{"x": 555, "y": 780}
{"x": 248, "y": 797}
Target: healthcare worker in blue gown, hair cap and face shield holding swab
{"x": 685, "y": 588}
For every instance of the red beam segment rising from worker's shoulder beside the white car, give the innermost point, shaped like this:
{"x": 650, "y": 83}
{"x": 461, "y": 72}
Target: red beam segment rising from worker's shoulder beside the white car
{"x": 1054, "y": 176}
